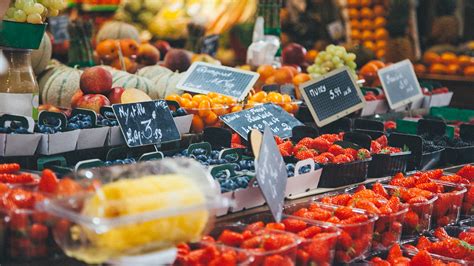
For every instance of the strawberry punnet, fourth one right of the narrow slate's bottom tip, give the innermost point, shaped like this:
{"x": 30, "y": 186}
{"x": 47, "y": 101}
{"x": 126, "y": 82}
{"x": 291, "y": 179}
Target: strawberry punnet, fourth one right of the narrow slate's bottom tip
{"x": 447, "y": 206}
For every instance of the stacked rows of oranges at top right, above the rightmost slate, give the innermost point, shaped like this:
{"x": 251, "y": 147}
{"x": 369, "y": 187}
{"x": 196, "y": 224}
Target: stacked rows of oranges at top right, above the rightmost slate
{"x": 367, "y": 22}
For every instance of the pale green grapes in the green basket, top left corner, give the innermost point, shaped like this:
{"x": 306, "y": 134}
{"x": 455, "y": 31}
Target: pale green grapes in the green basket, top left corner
{"x": 33, "y": 11}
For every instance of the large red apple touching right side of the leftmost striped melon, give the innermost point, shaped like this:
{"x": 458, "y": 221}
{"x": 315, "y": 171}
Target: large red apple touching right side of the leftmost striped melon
{"x": 96, "y": 80}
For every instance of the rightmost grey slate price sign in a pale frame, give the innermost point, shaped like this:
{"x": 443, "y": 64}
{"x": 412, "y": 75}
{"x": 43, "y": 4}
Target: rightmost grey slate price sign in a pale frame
{"x": 400, "y": 84}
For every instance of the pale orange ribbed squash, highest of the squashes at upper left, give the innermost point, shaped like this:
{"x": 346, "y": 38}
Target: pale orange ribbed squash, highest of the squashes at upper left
{"x": 117, "y": 30}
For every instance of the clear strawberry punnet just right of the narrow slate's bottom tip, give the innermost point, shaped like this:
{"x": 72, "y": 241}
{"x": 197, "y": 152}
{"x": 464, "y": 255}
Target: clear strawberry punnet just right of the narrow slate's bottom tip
{"x": 355, "y": 239}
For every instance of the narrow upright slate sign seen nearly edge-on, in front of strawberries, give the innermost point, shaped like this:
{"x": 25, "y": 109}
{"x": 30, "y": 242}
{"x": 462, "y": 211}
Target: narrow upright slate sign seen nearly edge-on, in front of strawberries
{"x": 271, "y": 174}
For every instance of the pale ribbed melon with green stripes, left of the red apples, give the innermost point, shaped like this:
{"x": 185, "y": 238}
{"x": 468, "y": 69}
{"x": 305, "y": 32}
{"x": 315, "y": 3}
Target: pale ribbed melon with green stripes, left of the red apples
{"x": 58, "y": 85}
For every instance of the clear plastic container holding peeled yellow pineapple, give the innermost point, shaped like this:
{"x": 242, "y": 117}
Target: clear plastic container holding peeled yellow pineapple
{"x": 135, "y": 209}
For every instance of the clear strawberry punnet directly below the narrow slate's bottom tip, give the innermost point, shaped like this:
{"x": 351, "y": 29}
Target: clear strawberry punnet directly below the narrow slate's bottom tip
{"x": 319, "y": 239}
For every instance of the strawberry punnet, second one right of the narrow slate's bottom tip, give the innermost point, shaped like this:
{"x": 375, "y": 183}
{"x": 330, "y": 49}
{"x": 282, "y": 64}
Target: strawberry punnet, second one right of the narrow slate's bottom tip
{"x": 391, "y": 212}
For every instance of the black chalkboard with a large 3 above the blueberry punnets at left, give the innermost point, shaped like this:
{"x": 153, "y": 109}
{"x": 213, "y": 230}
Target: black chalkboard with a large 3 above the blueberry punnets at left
{"x": 146, "y": 123}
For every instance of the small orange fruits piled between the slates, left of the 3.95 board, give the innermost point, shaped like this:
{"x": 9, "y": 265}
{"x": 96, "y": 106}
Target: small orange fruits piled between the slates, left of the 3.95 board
{"x": 283, "y": 100}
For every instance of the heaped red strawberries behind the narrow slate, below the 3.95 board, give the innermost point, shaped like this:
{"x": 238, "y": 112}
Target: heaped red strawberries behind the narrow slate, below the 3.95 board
{"x": 322, "y": 150}
